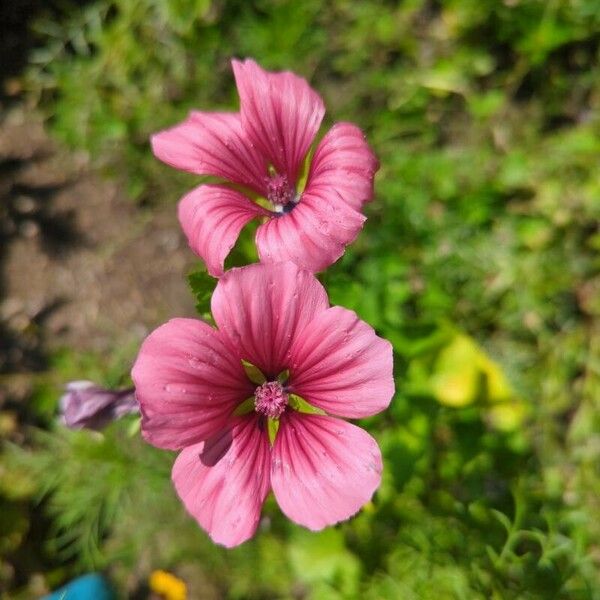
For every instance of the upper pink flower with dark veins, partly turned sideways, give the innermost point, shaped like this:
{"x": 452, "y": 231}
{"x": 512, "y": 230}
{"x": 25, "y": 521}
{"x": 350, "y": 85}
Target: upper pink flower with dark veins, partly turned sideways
{"x": 261, "y": 150}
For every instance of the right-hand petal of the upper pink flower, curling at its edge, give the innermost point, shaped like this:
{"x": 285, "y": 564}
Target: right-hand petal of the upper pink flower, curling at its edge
{"x": 344, "y": 165}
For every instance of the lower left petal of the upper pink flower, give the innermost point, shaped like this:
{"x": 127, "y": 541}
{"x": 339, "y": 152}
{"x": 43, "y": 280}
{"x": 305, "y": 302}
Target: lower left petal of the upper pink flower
{"x": 212, "y": 217}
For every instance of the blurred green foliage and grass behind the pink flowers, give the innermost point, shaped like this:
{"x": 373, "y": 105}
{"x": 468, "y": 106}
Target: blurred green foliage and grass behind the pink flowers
{"x": 479, "y": 261}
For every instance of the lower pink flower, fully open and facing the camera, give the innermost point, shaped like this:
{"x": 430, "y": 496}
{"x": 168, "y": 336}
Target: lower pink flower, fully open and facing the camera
{"x": 196, "y": 395}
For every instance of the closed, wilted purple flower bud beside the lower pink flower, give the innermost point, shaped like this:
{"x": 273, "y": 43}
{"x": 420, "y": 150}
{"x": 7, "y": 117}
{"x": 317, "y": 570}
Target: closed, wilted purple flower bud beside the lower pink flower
{"x": 87, "y": 405}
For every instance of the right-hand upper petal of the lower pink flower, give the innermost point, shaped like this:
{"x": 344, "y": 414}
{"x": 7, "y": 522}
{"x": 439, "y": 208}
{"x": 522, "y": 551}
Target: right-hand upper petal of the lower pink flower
{"x": 340, "y": 365}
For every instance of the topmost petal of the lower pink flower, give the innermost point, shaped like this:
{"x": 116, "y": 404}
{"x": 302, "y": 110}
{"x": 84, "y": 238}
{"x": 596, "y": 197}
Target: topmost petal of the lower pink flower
{"x": 261, "y": 308}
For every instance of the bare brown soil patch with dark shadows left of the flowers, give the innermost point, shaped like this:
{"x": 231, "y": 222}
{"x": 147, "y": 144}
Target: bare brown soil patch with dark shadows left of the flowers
{"x": 79, "y": 259}
